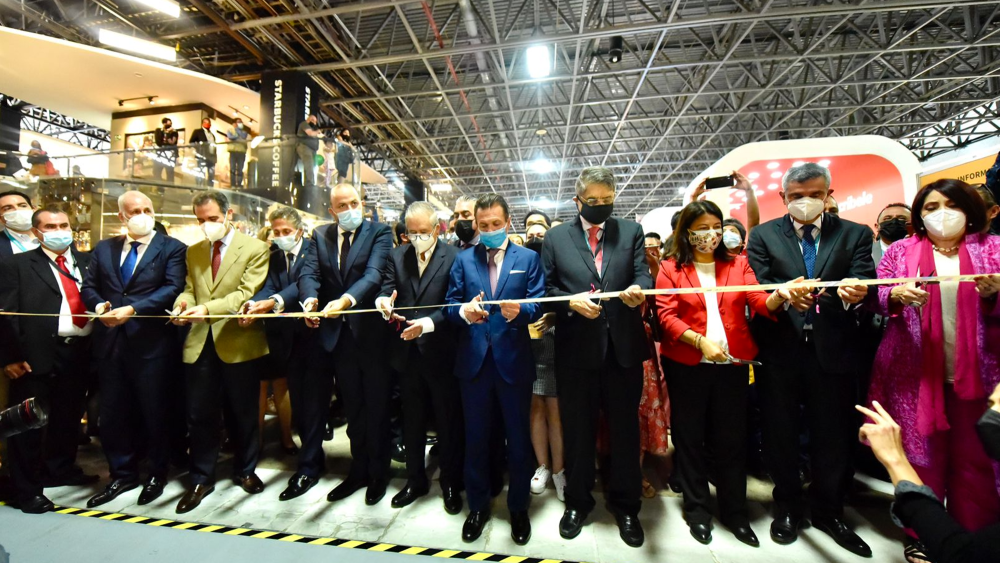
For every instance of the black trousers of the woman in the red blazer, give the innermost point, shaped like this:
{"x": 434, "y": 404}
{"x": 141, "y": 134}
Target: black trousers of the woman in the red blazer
{"x": 708, "y": 405}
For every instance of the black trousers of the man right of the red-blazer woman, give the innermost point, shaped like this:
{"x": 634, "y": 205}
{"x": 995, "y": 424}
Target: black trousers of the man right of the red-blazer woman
{"x": 787, "y": 380}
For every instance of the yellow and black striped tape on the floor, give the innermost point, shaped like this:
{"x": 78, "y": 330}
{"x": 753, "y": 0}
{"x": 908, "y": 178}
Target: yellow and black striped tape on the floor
{"x": 281, "y": 536}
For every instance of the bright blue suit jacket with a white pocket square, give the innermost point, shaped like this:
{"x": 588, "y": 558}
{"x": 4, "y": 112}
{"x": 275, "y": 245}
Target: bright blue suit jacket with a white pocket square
{"x": 520, "y": 277}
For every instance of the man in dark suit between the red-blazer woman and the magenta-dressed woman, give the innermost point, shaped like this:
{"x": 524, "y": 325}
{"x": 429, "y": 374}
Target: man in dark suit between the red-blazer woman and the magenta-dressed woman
{"x": 811, "y": 356}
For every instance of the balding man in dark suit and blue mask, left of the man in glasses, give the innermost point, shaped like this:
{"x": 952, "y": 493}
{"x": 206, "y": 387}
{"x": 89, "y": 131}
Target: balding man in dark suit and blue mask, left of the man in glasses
{"x": 343, "y": 269}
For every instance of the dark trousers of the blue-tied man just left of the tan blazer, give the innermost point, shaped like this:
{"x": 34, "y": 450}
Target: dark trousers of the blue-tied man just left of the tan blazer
{"x": 134, "y": 412}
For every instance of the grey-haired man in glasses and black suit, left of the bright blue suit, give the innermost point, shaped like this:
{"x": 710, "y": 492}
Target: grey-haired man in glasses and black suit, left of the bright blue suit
{"x": 423, "y": 353}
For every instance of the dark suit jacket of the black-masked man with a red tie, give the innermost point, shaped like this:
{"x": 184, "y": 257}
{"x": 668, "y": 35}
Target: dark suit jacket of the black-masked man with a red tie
{"x": 569, "y": 270}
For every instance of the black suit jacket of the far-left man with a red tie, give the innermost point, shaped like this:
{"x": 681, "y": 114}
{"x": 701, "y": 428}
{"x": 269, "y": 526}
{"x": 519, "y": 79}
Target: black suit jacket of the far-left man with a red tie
{"x": 27, "y": 285}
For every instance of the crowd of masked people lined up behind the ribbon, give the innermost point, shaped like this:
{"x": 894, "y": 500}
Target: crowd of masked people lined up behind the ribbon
{"x": 540, "y": 391}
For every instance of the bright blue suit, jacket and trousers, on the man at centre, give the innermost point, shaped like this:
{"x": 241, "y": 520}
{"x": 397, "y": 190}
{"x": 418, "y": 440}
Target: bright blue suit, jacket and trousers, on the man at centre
{"x": 495, "y": 366}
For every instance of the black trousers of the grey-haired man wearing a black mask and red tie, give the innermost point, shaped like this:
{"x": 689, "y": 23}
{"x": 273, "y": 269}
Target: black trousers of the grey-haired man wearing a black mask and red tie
{"x": 582, "y": 395}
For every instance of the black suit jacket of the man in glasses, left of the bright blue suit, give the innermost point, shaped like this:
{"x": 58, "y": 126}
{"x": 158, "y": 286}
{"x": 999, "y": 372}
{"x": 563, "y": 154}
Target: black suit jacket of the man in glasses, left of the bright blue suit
{"x": 402, "y": 275}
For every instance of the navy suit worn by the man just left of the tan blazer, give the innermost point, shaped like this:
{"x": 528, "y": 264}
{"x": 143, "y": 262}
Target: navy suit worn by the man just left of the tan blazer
{"x": 133, "y": 358}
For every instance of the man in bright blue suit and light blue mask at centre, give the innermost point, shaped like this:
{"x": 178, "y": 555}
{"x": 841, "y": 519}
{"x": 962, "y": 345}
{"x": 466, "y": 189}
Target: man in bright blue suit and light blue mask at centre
{"x": 495, "y": 365}
